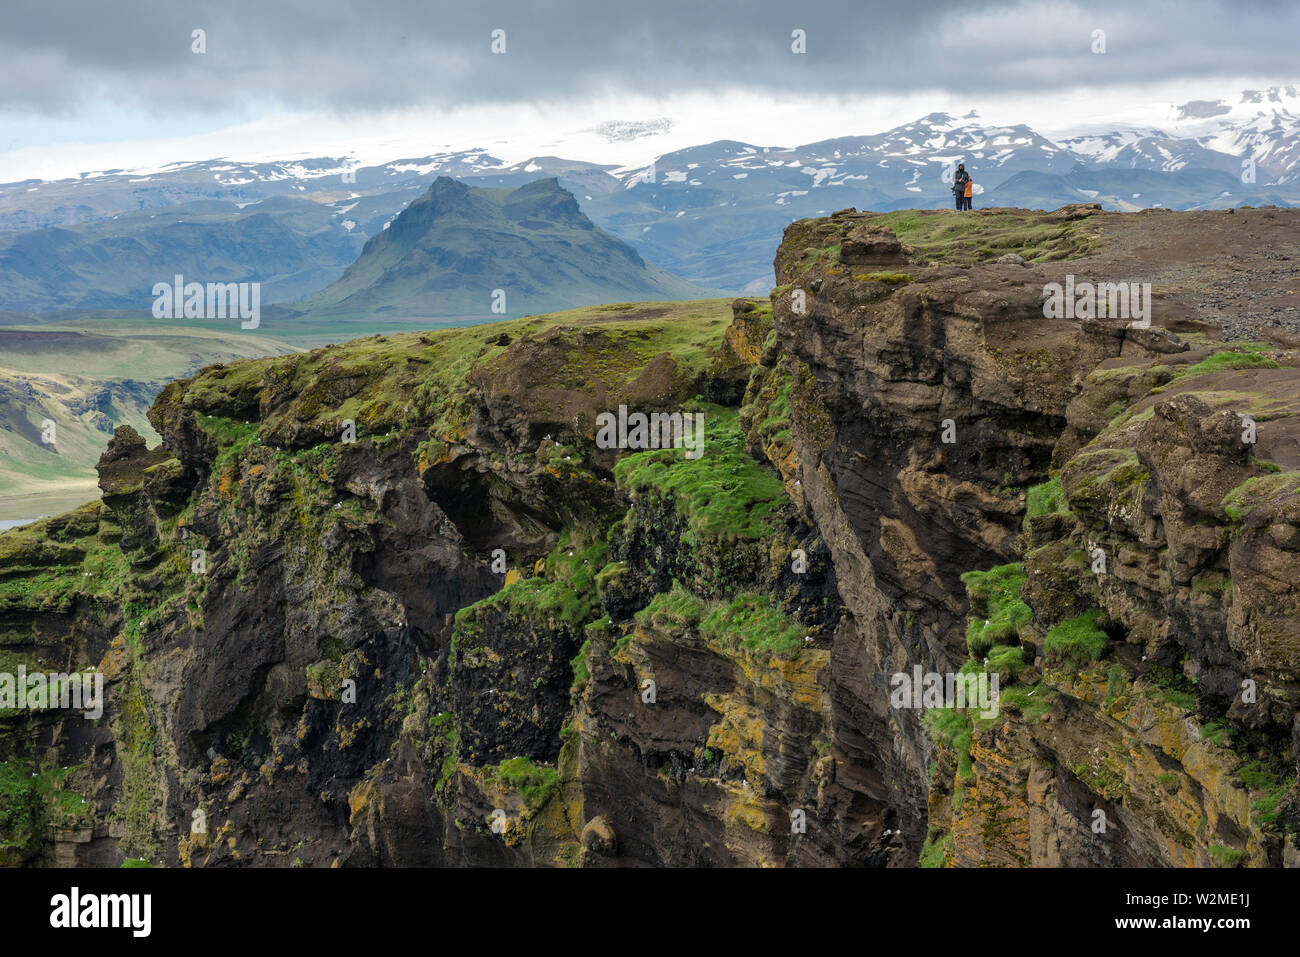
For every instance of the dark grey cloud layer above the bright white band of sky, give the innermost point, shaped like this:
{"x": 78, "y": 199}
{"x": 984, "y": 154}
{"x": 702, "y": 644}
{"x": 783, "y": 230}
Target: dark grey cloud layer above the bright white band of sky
{"x": 378, "y": 54}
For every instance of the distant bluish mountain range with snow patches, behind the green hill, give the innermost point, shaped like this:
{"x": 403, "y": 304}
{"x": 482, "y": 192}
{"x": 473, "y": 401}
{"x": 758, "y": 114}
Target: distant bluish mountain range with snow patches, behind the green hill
{"x": 707, "y": 214}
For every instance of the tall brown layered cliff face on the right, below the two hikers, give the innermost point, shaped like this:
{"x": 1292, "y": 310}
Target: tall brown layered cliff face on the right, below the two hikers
{"x": 1113, "y": 512}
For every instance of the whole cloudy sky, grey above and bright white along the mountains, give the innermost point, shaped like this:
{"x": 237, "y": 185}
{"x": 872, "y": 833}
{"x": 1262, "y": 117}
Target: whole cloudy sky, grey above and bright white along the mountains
{"x": 102, "y": 85}
